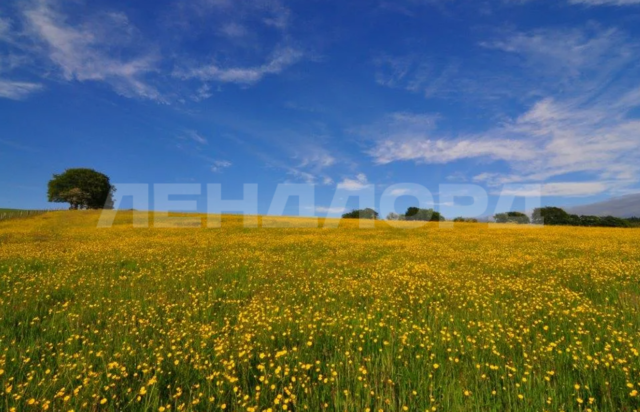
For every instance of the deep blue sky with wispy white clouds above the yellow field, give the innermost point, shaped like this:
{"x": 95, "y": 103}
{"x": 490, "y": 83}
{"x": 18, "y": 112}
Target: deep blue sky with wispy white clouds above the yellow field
{"x": 324, "y": 92}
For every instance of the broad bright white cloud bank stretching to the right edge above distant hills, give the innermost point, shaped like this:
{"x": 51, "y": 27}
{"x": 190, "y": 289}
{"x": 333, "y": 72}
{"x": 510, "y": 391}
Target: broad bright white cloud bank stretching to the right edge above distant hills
{"x": 551, "y": 139}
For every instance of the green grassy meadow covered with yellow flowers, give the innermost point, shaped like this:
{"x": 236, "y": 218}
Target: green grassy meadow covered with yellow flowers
{"x": 347, "y": 319}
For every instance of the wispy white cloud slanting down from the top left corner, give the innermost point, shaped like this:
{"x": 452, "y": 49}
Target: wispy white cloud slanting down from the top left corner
{"x": 90, "y": 50}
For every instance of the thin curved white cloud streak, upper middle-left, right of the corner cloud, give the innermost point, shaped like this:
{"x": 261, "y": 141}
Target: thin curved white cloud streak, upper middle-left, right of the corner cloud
{"x": 278, "y": 61}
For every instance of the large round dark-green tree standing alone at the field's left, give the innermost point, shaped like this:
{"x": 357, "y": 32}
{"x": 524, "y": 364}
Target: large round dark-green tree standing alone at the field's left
{"x": 82, "y": 189}
